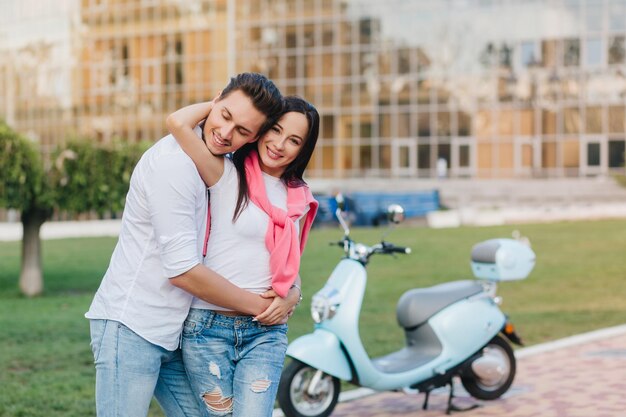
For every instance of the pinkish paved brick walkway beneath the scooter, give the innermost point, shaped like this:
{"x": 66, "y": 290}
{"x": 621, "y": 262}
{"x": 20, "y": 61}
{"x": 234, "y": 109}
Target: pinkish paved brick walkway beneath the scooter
{"x": 583, "y": 376}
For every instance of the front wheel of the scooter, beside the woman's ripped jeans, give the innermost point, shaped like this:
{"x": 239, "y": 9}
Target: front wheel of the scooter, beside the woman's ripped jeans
{"x": 307, "y": 392}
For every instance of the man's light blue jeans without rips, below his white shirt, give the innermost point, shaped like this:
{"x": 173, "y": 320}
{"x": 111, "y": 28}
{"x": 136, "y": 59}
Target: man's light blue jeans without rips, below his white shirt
{"x": 130, "y": 370}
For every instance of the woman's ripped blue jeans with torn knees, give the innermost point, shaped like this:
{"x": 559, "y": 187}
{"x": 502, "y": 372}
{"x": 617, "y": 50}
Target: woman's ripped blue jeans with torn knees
{"x": 233, "y": 363}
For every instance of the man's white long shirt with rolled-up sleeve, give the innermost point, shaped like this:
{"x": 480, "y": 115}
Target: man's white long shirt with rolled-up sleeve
{"x": 161, "y": 237}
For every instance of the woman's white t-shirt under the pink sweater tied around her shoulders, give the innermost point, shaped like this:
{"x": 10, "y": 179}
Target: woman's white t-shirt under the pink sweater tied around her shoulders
{"x": 237, "y": 250}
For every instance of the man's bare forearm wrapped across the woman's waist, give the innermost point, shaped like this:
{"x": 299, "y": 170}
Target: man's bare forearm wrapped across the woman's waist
{"x": 211, "y": 287}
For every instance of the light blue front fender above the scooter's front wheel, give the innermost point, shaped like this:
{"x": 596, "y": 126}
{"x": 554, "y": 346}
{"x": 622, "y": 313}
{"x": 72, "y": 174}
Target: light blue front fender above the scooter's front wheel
{"x": 321, "y": 350}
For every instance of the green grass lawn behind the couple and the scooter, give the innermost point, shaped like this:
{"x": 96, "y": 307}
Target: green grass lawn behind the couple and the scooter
{"x": 46, "y": 367}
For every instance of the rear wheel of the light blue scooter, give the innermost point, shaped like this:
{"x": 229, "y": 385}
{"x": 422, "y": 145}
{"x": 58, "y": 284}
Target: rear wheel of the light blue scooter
{"x": 490, "y": 374}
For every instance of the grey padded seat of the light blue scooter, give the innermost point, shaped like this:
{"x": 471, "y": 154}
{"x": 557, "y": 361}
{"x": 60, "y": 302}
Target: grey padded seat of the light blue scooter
{"x": 416, "y": 306}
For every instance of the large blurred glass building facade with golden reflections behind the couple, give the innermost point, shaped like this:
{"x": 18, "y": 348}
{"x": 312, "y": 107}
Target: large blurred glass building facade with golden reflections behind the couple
{"x": 491, "y": 88}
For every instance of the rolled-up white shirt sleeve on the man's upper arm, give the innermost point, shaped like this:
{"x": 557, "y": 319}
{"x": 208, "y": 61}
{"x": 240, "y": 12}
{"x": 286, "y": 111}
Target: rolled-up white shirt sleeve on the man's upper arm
{"x": 171, "y": 190}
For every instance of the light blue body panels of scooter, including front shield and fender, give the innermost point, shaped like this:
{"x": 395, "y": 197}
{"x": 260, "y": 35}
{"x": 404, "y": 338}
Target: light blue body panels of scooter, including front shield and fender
{"x": 462, "y": 327}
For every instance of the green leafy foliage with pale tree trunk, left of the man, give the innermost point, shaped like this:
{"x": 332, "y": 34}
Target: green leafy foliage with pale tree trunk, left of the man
{"x": 80, "y": 177}
